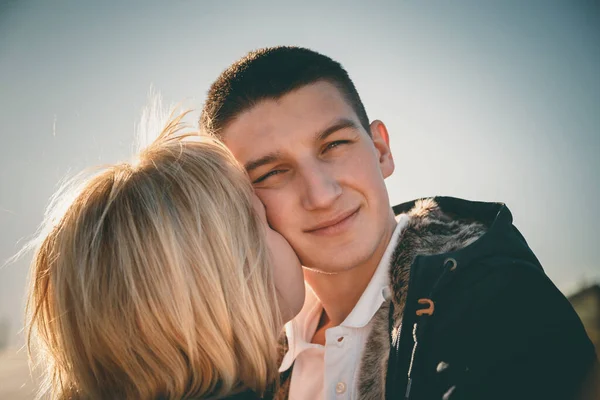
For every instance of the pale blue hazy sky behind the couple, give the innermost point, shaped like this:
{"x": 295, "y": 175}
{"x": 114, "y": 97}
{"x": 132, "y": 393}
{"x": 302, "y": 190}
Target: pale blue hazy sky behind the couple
{"x": 494, "y": 101}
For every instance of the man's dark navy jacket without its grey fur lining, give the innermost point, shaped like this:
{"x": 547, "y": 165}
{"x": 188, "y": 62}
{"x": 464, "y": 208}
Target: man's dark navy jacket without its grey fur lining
{"x": 500, "y": 329}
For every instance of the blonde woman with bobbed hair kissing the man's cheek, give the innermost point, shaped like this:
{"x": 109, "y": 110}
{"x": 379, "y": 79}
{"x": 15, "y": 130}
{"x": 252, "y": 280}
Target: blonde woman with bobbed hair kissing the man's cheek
{"x": 161, "y": 279}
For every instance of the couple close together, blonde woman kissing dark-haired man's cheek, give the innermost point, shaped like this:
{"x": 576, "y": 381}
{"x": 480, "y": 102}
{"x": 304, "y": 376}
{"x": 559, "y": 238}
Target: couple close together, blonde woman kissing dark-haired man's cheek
{"x": 172, "y": 278}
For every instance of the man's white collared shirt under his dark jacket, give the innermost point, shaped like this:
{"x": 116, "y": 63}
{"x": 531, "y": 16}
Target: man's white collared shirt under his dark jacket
{"x": 329, "y": 371}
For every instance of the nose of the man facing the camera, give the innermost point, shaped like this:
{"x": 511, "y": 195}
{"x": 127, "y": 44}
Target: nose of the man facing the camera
{"x": 321, "y": 187}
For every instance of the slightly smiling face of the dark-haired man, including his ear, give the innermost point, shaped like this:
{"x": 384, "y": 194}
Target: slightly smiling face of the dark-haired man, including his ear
{"x": 319, "y": 175}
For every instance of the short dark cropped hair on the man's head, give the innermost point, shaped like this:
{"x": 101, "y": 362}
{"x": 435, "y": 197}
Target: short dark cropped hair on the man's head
{"x": 270, "y": 73}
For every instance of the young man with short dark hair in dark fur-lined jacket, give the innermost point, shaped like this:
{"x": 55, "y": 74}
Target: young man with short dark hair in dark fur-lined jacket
{"x": 435, "y": 298}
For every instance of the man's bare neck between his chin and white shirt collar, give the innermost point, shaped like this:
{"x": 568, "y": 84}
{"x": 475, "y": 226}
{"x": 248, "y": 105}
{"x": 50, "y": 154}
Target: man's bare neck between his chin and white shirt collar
{"x": 339, "y": 293}
